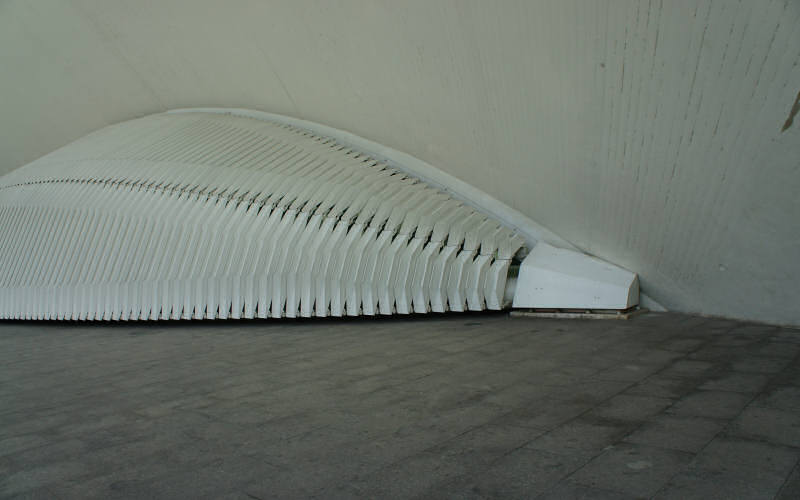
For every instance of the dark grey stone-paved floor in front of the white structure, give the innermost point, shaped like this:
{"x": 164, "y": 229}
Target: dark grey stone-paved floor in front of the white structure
{"x": 470, "y": 406}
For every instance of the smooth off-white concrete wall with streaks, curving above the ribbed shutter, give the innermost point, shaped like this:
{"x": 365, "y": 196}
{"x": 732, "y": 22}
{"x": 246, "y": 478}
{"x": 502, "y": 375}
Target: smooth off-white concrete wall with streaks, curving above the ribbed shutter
{"x": 648, "y": 133}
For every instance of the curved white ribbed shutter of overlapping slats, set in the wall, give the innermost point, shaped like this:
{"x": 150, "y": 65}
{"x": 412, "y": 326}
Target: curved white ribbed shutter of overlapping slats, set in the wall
{"x": 208, "y": 215}
